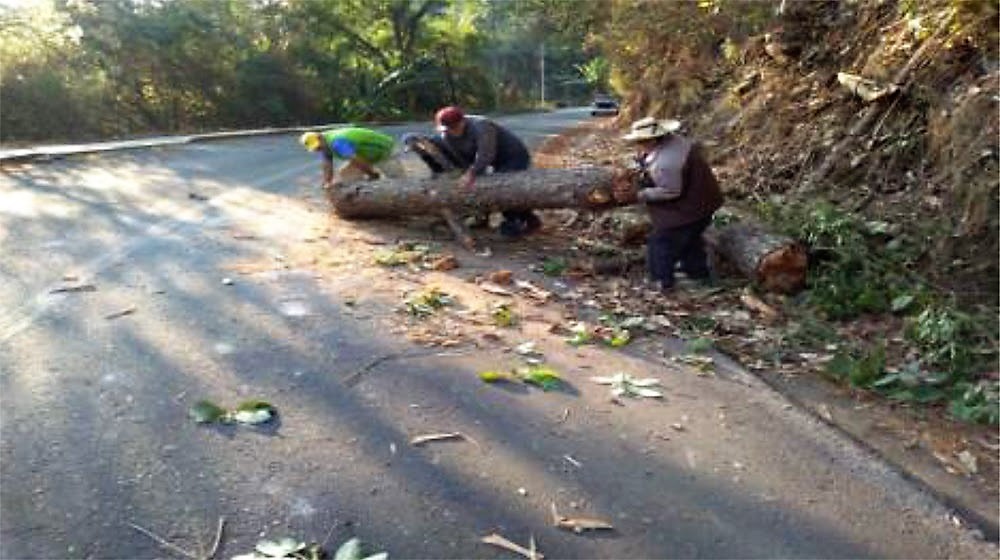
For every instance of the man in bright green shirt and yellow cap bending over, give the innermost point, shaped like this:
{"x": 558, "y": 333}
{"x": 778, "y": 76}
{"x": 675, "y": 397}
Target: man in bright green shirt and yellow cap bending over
{"x": 367, "y": 154}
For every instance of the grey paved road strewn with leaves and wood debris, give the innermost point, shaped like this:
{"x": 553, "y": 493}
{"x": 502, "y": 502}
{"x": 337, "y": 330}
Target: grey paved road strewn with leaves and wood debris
{"x": 95, "y": 438}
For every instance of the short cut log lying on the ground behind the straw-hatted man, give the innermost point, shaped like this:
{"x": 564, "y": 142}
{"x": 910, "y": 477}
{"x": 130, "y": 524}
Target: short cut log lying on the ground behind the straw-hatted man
{"x": 774, "y": 262}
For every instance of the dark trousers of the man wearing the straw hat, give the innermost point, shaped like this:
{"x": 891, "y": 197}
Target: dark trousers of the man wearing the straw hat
{"x": 668, "y": 246}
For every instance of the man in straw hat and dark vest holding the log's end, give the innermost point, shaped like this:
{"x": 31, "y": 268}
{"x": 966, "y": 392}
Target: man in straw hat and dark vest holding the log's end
{"x": 680, "y": 192}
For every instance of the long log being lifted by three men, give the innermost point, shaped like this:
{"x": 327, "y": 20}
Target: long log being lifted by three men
{"x": 586, "y": 187}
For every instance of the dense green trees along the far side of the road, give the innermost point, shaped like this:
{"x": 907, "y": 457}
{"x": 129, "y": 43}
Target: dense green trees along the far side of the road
{"x": 74, "y": 69}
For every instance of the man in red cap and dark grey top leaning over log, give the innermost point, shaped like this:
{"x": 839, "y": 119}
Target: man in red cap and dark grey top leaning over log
{"x": 479, "y": 145}
